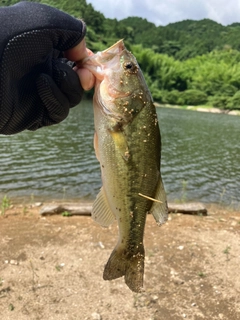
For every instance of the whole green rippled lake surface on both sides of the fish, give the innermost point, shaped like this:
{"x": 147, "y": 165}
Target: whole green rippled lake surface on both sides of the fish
{"x": 200, "y": 158}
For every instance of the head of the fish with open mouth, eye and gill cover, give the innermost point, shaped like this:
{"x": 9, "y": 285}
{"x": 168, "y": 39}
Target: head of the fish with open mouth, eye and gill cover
{"x": 121, "y": 88}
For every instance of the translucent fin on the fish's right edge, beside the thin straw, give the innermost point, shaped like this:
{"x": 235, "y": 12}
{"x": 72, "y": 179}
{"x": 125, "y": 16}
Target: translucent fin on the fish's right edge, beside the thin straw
{"x": 159, "y": 209}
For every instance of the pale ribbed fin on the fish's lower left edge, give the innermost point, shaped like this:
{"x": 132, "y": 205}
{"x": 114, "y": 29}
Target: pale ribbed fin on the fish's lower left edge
{"x": 101, "y": 211}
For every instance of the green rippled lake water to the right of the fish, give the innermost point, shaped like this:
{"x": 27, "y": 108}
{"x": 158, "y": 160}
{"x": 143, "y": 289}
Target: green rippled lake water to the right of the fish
{"x": 201, "y": 156}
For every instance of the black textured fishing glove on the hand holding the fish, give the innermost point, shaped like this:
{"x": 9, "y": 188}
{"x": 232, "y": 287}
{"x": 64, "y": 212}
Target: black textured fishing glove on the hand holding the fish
{"x": 37, "y": 86}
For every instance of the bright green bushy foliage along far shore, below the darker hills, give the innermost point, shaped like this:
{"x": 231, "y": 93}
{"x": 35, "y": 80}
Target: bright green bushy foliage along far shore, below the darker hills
{"x": 212, "y": 78}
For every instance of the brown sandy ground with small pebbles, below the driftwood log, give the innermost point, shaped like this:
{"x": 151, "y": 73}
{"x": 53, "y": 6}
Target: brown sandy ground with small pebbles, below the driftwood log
{"x": 51, "y": 268}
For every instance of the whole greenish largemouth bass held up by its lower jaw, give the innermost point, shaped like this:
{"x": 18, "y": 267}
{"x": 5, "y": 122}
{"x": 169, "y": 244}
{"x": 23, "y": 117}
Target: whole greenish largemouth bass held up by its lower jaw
{"x": 128, "y": 146}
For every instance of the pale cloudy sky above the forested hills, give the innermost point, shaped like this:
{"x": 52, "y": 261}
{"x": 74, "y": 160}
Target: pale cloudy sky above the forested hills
{"x": 163, "y": 12}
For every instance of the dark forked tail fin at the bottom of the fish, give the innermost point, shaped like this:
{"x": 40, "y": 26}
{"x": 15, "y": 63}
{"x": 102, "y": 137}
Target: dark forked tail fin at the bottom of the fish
{"x": 128, "y": 264}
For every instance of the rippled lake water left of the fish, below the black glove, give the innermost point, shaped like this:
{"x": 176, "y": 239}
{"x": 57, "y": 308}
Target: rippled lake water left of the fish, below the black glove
{"x": 53, "y": 162}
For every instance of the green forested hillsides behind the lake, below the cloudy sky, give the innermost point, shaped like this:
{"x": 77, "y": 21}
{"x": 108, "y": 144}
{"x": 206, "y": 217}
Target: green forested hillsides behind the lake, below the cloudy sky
{"x": 185, "y": 63}
